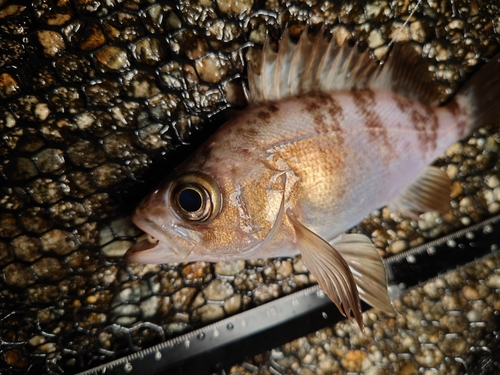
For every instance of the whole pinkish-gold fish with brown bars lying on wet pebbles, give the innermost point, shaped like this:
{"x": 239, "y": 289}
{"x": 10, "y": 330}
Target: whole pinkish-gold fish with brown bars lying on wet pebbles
{"x": 329, "y": 135}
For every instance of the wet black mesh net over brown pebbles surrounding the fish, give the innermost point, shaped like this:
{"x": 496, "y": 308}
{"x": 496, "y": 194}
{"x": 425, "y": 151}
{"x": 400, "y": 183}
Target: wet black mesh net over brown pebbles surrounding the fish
{"x": 99, "y": 99}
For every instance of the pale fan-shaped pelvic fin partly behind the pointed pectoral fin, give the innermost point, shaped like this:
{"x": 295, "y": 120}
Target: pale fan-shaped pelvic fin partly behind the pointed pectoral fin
{"x": 367, "y": 268}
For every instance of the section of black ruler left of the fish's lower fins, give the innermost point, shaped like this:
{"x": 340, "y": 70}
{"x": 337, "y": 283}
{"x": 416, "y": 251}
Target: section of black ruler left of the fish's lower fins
{"x": 212, "y": 347}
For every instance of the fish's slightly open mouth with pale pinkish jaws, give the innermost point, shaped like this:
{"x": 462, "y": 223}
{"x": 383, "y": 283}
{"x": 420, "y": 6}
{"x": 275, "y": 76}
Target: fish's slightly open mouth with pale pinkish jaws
{"x": 161, "y": 246}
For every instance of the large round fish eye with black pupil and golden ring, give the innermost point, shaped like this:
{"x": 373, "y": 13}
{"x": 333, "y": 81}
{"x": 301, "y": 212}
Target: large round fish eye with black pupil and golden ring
{"x": 195, "y": 197}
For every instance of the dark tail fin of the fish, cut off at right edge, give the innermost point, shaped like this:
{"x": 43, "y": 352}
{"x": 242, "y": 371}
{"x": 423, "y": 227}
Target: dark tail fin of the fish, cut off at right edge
{"x": 480, "y": 96}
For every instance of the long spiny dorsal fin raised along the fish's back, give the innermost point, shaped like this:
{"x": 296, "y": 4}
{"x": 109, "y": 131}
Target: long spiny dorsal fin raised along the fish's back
{"x": 316, "y": 65}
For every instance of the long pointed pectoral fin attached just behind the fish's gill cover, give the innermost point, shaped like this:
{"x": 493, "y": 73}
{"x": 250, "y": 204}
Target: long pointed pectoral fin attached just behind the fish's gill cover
{"x": 330, "y": 269}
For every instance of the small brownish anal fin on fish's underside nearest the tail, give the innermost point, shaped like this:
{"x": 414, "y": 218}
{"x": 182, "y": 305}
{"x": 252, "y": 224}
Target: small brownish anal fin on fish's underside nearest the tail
{"x": 429, "y": 192}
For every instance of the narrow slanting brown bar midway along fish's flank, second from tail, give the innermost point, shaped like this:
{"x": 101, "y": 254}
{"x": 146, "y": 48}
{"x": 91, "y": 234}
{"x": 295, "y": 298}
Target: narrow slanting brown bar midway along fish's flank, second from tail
{"x": 364, "y": 100}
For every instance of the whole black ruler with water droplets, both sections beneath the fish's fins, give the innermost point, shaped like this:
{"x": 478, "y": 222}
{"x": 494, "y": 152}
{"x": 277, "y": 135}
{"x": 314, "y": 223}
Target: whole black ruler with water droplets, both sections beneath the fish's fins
{"x": 216, "y": 346}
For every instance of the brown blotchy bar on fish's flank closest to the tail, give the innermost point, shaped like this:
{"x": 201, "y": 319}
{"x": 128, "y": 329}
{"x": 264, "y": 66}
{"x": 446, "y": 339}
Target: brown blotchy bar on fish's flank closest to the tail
{"x": 426, "y": 124}
